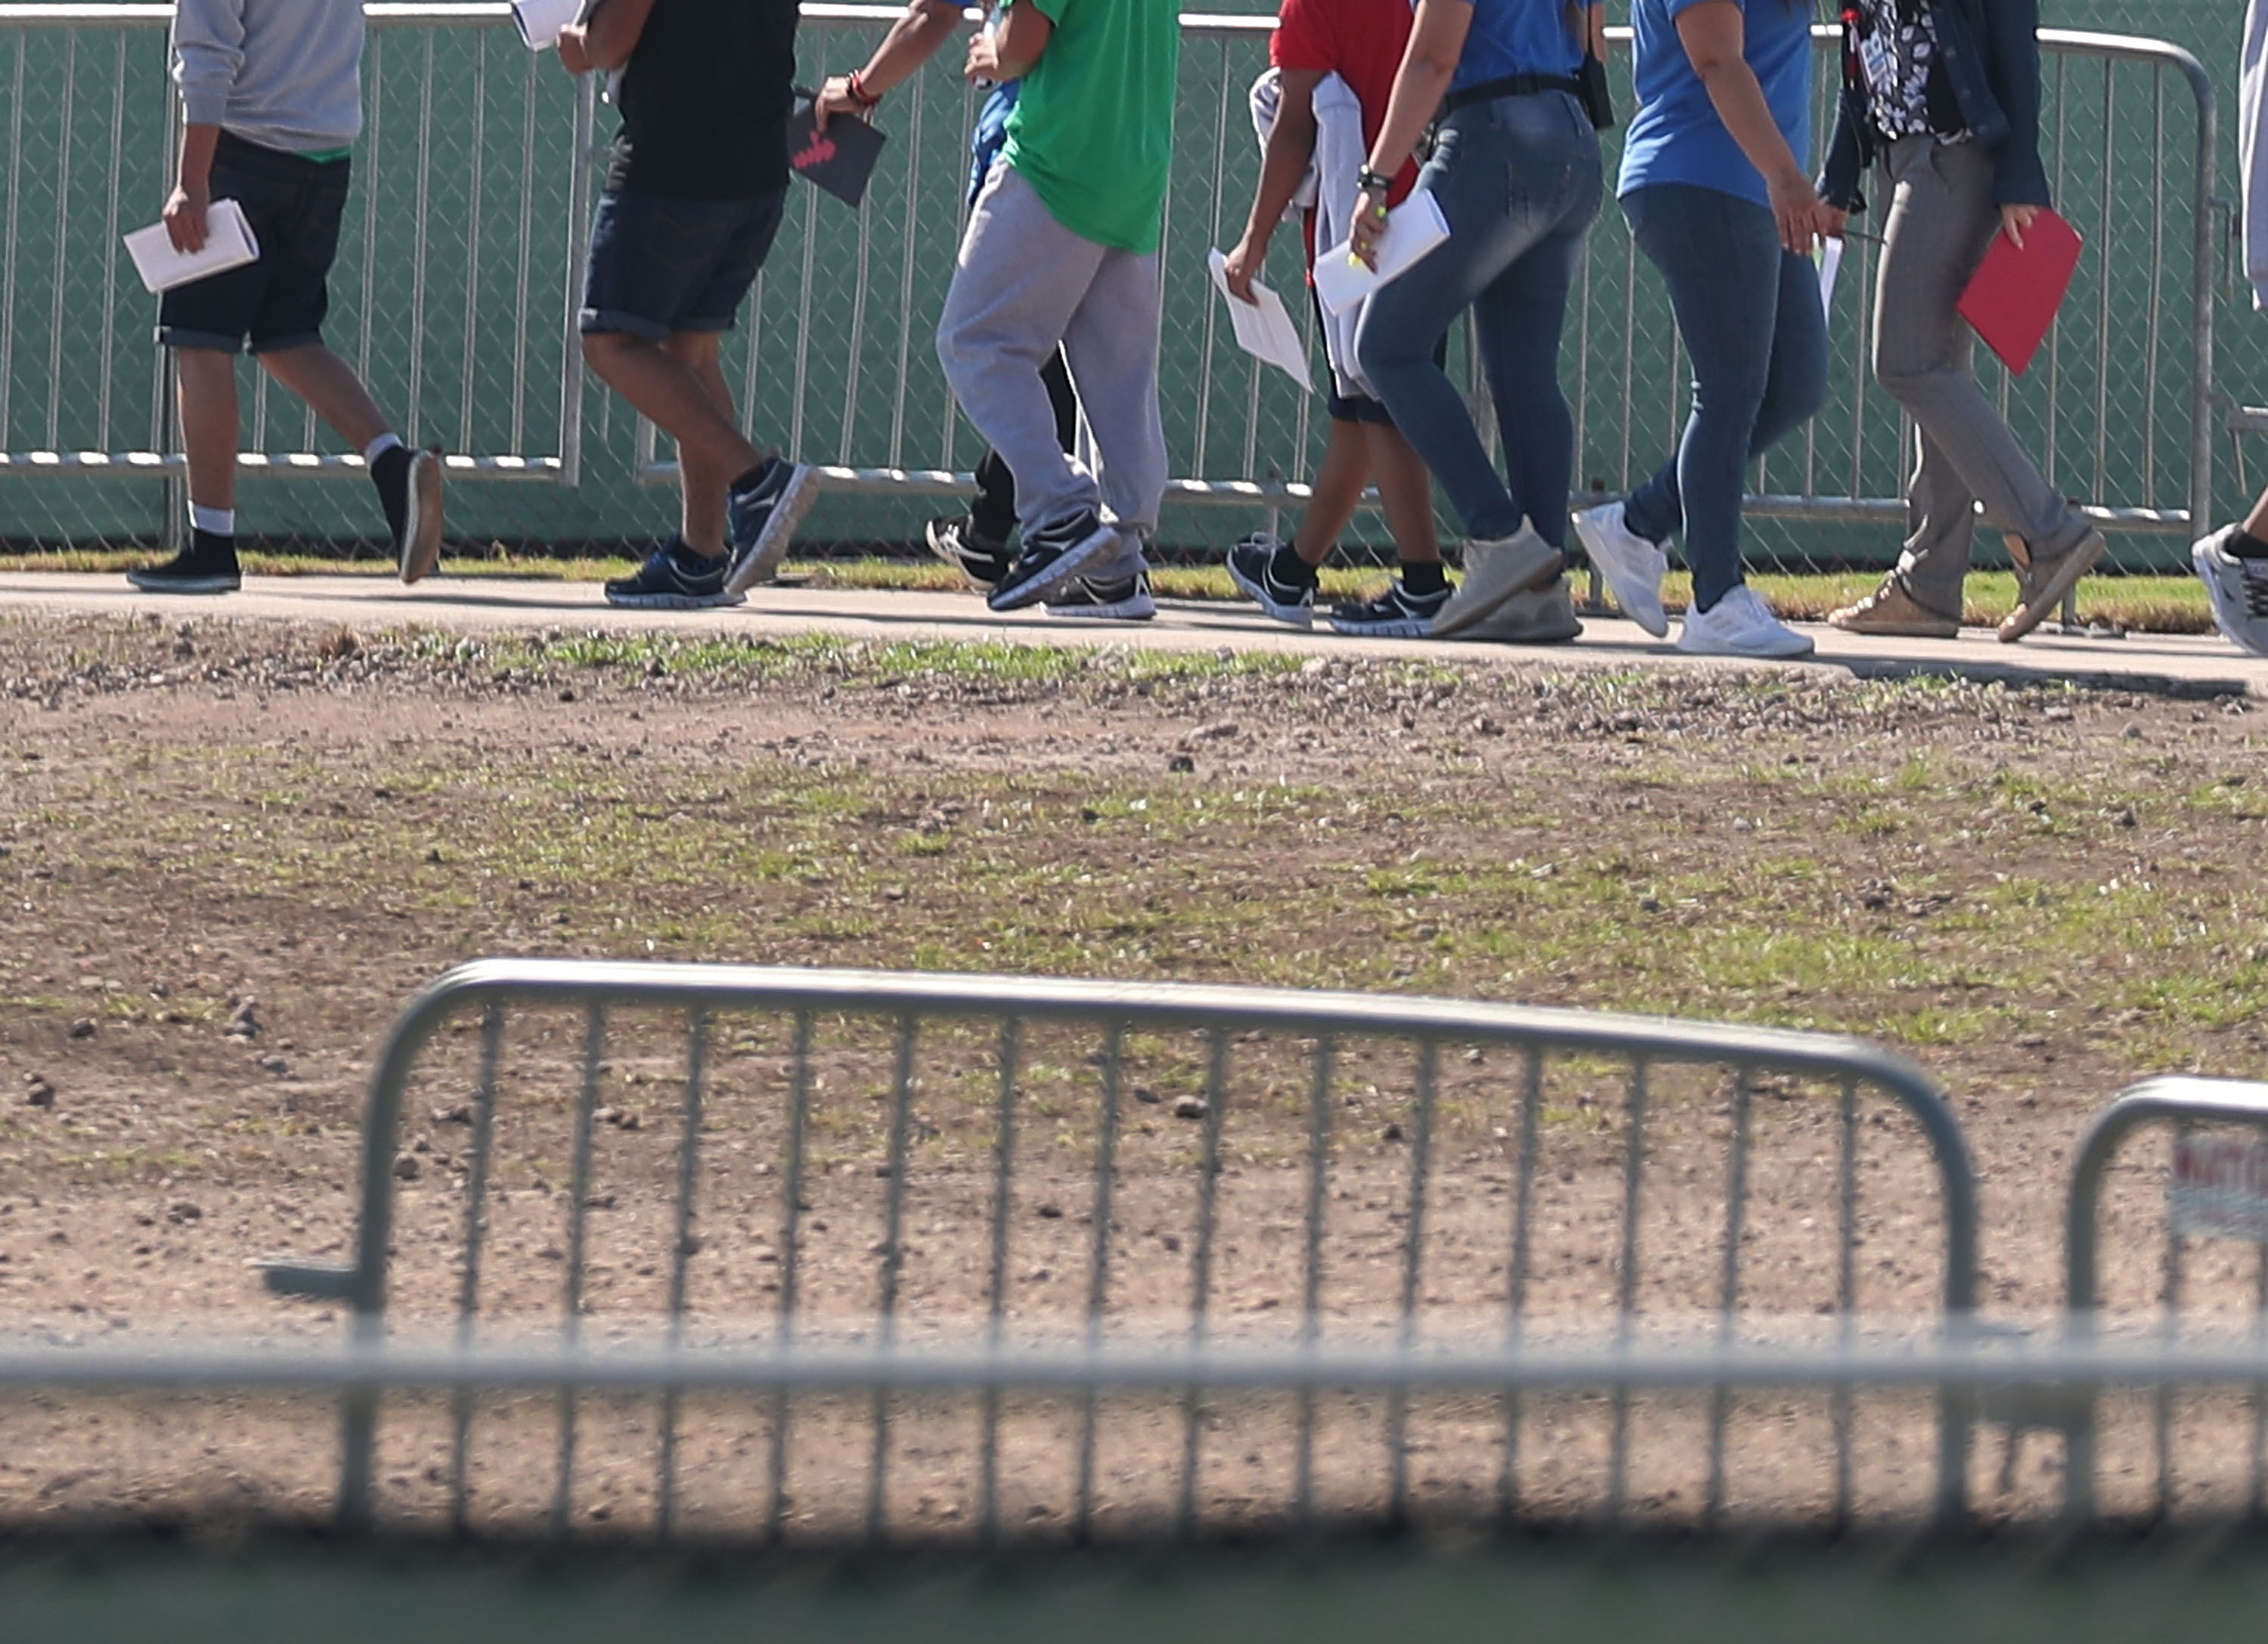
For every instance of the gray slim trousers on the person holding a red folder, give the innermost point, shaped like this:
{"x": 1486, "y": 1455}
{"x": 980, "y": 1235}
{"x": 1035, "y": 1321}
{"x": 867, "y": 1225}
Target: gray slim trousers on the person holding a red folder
{"x": 1940, "y": 226}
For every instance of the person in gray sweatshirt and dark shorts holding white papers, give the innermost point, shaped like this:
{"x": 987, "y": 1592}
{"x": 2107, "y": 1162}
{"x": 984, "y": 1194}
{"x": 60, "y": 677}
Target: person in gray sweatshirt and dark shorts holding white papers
{"x": 271, "y": 105}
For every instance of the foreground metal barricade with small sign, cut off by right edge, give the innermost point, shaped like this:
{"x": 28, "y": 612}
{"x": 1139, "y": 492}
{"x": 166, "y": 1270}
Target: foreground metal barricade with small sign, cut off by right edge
{"x": 2212, "y": 1189}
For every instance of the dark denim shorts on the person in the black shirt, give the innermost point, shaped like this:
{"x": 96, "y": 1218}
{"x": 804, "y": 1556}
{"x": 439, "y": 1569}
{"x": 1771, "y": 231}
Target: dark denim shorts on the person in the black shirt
{"x": 661, "y": 266}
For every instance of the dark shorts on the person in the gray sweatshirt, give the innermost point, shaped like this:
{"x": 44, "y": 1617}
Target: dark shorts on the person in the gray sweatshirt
{"x": 294, "y": 207}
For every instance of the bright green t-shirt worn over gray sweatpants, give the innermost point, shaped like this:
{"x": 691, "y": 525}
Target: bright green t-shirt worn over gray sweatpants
{"x": 1094, "y": 124}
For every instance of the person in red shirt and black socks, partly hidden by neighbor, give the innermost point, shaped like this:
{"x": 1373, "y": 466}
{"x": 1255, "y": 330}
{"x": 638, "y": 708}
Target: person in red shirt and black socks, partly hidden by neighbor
{"x": 1335, "y": 60}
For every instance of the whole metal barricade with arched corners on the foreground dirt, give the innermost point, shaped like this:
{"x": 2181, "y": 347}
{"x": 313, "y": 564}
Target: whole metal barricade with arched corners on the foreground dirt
{"x": 863, "y": 1162}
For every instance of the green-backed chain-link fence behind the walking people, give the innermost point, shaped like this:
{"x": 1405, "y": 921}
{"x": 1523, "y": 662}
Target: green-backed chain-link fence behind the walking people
{"x": 457, "y": 280}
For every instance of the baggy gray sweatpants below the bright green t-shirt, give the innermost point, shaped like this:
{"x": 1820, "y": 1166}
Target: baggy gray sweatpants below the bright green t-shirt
{"x": 1024, "y": 285}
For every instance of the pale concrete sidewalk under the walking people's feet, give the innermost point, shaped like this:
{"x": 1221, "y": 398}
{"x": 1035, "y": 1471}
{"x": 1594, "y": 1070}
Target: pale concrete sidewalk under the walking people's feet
{"x": 2172, "y": 666}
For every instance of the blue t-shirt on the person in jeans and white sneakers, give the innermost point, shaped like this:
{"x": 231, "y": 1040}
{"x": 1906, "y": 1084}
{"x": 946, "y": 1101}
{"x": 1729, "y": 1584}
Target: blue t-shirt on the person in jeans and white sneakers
{"x": 1677, "y": 135}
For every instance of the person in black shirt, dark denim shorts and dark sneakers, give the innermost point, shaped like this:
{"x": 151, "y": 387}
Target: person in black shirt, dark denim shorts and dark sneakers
{"x": 691, "y": 210}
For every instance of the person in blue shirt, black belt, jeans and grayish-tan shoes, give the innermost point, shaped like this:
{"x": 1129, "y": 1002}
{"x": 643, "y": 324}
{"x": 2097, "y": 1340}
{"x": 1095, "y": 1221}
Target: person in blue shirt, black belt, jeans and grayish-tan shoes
{"x": 1516, "y": 176}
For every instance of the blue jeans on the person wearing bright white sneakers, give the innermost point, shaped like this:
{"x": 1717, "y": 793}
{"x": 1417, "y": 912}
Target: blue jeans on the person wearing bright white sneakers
{"x": 1759, "y": 339}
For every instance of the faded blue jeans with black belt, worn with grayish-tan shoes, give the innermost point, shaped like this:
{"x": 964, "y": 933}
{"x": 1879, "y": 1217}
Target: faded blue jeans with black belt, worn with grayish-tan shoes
{"x": 1518, "y": 183}
